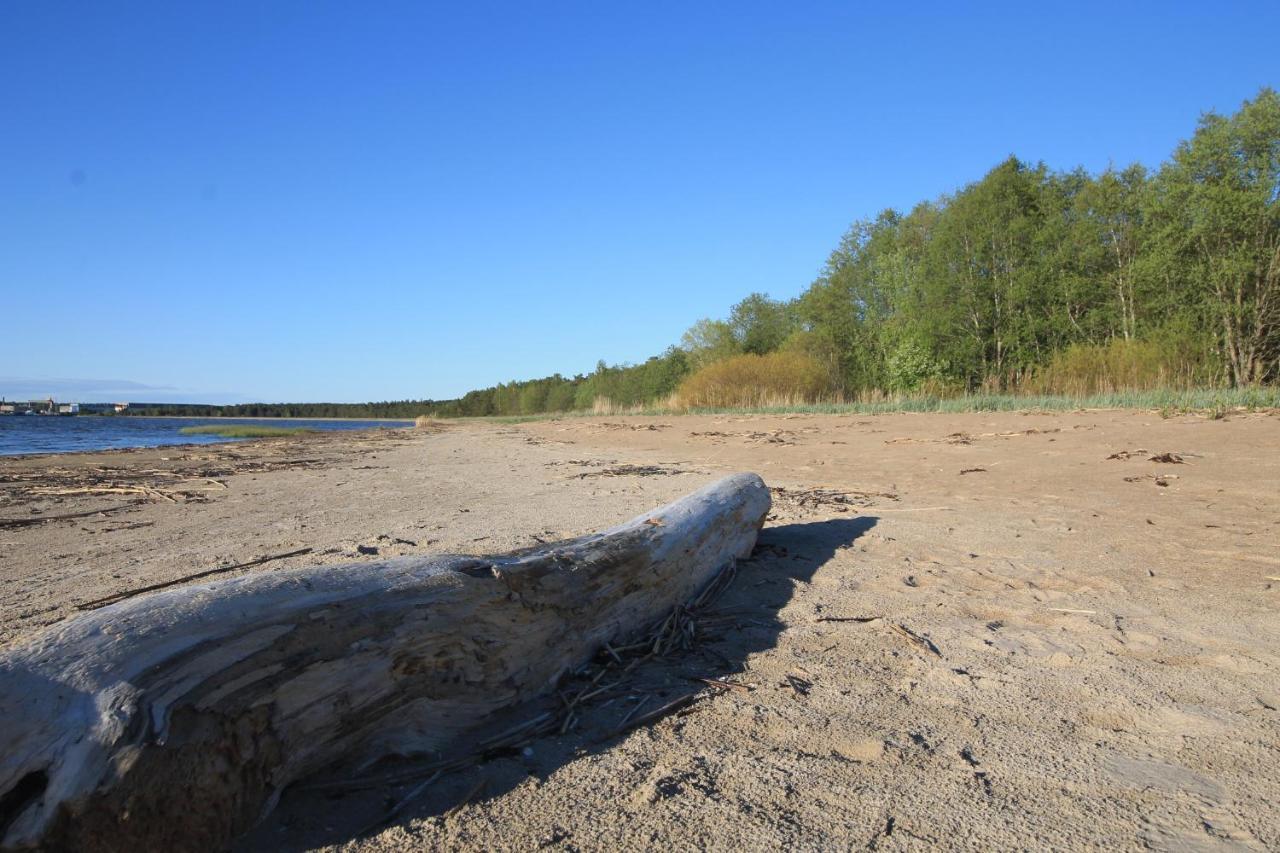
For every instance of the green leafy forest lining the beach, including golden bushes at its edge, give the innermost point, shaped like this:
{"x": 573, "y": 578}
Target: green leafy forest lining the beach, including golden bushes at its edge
{"x": 1026, "y": 281}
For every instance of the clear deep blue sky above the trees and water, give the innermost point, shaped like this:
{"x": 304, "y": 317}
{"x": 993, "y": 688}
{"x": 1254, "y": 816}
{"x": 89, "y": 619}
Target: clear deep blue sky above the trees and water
{"x": 339, "y": 202}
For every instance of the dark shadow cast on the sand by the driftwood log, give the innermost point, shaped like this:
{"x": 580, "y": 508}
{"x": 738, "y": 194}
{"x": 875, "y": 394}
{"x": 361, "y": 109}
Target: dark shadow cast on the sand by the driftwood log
{"x": 743, "y": 622}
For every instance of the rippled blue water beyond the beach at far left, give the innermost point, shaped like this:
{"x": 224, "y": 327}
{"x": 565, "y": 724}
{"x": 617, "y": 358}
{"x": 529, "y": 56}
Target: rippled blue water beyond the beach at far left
{"x": 36, "y": 435}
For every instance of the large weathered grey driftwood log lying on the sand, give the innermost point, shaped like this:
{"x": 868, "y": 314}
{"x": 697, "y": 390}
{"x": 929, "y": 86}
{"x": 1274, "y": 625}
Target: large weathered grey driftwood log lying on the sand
{"x": 175, "y": 720}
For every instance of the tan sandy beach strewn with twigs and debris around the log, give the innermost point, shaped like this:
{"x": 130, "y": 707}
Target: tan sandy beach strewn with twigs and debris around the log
{"x": 958, "y": 631}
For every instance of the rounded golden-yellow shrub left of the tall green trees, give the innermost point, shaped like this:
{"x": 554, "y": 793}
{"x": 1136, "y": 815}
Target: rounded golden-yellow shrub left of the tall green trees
{"x": 781, "y": 378}
